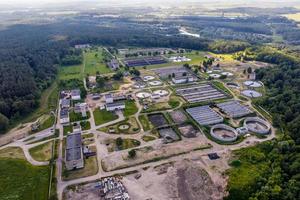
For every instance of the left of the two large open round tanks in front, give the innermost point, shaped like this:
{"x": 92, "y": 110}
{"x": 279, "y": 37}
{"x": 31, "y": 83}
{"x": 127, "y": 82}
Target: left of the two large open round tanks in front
{"x": 223, "y": 133}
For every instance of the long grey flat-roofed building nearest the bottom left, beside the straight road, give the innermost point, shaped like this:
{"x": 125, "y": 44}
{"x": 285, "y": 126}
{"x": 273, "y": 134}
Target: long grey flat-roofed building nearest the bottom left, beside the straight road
{"x": 73, "y": 153}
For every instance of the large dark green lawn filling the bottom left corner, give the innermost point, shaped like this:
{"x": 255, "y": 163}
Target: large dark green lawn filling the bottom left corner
{"x": 19, "y": 180}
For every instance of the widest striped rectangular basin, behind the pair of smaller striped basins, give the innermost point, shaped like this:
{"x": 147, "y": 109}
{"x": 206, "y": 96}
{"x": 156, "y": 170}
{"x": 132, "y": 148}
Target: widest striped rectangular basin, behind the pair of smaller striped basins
{"x": 200, "y": 92}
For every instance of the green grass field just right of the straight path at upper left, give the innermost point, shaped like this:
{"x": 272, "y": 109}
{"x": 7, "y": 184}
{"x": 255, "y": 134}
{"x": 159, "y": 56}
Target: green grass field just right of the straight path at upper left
{"x": 94, "y": 62}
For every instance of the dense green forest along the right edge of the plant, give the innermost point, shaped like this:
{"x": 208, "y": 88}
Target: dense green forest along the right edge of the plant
{"x": 281, "y": 178}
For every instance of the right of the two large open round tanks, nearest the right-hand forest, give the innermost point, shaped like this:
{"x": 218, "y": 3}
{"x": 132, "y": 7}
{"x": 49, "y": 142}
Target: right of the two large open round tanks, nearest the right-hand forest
{"x": 257, "y": 125}
